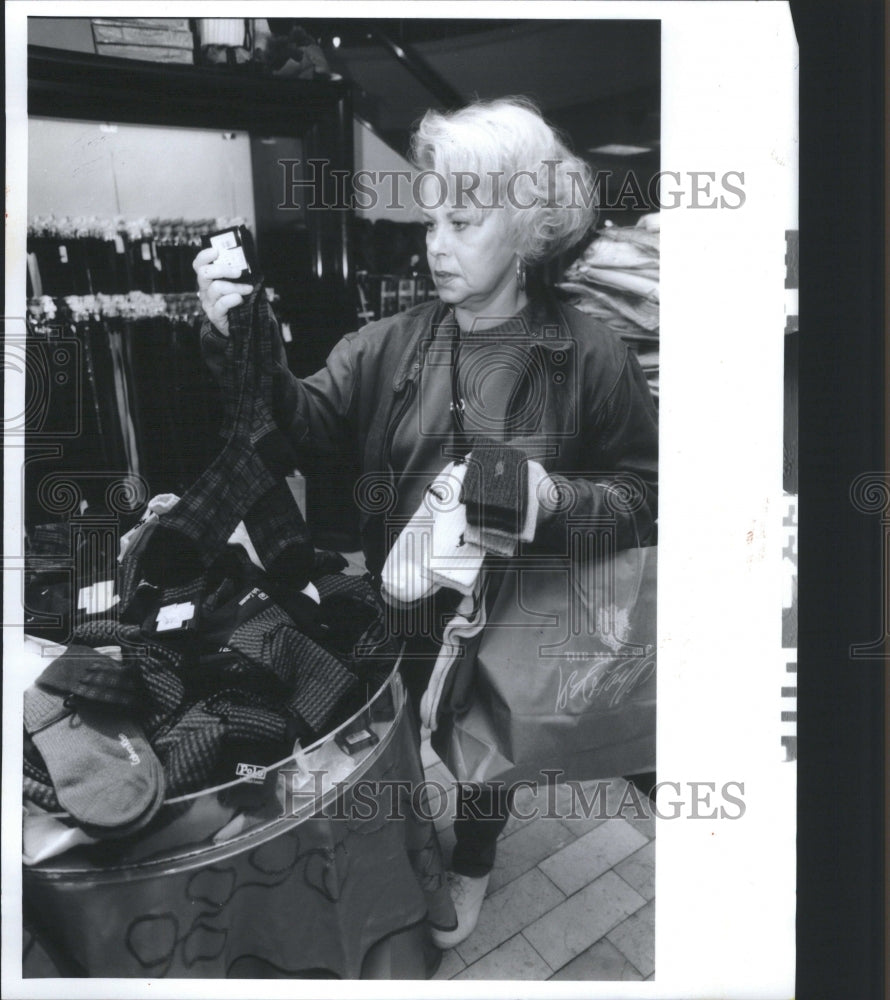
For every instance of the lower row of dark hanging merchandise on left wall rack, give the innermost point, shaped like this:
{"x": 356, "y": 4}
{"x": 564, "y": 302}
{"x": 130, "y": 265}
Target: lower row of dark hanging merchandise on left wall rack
{"x": 118, "y": 379}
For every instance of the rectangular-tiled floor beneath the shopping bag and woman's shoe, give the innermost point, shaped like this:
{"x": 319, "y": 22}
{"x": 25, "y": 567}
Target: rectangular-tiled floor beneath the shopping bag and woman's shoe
{"x": 569, "y": 898}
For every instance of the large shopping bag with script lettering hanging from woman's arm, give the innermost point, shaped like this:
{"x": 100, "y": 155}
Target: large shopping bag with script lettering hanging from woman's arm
{"x": 562, "y": 678}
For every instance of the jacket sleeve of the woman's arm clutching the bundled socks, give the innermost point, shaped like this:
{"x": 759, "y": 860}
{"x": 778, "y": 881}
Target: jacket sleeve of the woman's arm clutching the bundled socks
{"x": 619, "y": 484}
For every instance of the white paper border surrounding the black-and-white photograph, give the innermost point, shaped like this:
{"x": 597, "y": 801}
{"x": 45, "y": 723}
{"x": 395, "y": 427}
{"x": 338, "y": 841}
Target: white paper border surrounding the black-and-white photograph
{"x": 725, "y": 887}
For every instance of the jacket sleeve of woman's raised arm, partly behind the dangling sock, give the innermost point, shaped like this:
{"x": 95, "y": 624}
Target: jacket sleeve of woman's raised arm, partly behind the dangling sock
{"x": 315, "y": 413}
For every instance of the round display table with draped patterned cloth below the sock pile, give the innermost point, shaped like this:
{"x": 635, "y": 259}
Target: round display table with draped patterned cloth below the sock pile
{"x": 321, "y": 870}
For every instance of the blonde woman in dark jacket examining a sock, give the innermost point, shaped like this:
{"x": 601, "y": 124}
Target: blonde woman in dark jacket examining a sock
{"x": 486, "y": 365}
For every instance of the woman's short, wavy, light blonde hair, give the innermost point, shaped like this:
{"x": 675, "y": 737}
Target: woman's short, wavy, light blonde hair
{"x": 524, "y": 165}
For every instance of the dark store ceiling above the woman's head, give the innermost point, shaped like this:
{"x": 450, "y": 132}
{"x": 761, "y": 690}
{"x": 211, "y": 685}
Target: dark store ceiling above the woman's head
{"x": 598, "y": 80}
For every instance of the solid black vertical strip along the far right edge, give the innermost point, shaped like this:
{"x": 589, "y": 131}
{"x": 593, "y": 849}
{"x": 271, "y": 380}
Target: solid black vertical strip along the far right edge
{"x": 843, "y": 410}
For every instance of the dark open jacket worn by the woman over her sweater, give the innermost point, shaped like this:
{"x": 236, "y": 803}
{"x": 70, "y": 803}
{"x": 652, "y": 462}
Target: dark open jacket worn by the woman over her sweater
{"x": 587, "y": 416}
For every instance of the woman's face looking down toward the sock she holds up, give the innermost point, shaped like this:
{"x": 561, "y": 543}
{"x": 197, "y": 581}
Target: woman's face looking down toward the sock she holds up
{"x": 471, "y": 256}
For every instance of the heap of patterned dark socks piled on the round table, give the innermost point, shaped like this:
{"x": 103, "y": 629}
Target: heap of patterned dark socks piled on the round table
{"x": 136, "y": 712}
